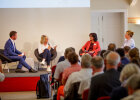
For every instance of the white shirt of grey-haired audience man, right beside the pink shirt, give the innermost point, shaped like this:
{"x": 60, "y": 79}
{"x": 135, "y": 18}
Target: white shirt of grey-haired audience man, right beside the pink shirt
{"x": 83, "y": 74}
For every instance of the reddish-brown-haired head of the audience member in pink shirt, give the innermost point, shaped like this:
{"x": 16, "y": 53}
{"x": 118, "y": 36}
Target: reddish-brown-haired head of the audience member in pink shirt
{"x": 73, "y": 58}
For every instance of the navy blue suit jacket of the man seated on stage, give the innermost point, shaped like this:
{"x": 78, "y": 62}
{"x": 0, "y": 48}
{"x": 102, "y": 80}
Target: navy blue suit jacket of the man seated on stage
{"x": 9, "y": 49}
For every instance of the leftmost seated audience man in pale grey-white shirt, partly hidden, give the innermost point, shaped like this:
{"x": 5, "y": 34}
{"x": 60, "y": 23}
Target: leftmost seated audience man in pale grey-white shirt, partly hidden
{"x": 60, "y": 67}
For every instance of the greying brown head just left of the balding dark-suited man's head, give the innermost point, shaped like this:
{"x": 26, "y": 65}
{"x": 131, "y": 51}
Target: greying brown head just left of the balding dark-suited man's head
{"x": 97, "y": 62}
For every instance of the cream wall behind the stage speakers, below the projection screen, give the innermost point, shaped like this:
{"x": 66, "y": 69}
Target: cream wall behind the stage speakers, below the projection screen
{"x": 65, "y": 27}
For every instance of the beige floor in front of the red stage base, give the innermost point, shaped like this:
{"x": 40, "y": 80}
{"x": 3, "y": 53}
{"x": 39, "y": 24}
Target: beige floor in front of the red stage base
{"x": 19, "y": 96}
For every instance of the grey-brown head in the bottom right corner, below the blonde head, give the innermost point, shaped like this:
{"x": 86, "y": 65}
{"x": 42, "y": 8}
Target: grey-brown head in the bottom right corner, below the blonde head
{"x": 133, "y": 84}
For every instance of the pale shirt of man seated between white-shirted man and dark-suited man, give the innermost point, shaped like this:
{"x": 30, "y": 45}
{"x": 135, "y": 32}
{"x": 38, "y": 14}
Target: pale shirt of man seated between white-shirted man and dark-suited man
{"x": 85, "y": 84}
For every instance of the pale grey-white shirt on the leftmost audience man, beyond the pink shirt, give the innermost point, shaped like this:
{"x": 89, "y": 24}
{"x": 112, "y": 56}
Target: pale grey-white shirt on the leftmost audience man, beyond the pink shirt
{"x": 60, "y": 67}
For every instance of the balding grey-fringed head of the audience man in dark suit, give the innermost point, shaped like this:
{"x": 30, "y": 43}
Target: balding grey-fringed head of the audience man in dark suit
{"x": 112, "y": 60}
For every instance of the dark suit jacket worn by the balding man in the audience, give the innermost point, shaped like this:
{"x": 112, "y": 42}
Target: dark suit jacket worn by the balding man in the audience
{"x": 102, "y": 85}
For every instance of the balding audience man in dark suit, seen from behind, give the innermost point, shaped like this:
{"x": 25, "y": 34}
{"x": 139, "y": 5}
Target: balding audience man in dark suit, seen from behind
{"x": 102, "y": 85}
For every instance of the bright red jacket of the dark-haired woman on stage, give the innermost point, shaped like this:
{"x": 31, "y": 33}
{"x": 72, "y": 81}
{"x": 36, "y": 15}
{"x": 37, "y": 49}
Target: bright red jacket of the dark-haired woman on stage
{"x": 96, "y": 47}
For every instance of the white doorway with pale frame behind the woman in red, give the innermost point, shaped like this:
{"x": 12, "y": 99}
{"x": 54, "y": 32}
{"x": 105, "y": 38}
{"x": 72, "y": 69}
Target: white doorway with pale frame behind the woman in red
{"x": 110, "y": 27}
